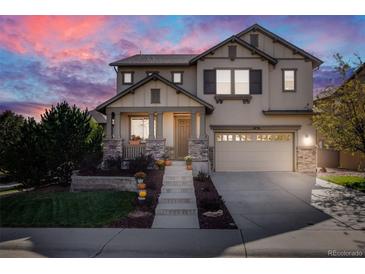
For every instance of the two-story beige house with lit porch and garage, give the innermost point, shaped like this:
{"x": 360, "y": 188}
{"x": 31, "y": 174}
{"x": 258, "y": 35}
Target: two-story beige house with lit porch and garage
{"x": 245, "y": 104}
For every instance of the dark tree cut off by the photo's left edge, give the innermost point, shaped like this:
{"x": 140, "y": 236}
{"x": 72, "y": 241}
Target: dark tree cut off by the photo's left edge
{"x": 10, "y": 124}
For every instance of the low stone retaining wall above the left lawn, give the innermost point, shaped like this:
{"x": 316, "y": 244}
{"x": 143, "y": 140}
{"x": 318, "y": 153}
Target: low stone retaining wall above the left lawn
{"x": 97, "y": 183}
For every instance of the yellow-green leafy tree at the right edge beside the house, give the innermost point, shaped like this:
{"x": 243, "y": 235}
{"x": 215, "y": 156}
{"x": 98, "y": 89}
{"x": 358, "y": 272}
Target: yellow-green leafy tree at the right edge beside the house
{"x": 340, "y": 115}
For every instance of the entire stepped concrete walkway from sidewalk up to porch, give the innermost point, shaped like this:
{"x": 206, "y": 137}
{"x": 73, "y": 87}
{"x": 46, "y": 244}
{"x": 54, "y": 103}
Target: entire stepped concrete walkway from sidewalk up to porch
{"x": 177, "y": 203}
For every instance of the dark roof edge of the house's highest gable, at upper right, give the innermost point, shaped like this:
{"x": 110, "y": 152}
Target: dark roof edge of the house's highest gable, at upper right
{"x": 256, "y": 27}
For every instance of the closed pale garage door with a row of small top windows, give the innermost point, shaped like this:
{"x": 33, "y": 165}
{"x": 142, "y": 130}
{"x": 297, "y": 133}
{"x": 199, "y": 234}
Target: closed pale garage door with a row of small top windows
{"x": 254, "y": 151}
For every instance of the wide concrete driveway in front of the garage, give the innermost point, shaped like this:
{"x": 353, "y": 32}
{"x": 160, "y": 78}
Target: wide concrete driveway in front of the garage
{"x": 277, "y": 211}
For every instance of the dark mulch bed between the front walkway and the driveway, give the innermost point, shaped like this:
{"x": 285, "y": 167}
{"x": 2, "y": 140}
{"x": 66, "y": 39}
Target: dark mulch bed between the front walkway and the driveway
{"x": 208, "y": 199}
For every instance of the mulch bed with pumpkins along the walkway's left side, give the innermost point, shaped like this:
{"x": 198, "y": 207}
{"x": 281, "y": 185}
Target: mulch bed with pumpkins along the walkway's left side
{"x": 154, "y": 184}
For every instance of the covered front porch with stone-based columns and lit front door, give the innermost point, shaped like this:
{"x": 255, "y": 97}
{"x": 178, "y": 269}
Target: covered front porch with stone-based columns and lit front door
{"x": 160, "y": 131}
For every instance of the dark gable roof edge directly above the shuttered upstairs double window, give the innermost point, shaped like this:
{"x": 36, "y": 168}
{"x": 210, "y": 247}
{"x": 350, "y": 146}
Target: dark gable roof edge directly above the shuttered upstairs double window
{"x": 236, "y": 39}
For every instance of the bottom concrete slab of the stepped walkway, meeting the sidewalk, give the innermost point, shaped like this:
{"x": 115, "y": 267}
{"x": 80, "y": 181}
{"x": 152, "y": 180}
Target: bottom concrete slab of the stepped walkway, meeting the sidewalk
{"x": 166, "y": 221}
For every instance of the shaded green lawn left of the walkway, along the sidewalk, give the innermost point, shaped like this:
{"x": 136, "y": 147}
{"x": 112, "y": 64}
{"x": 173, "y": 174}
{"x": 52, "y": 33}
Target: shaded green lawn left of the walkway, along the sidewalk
{"x": 64, "y": 209}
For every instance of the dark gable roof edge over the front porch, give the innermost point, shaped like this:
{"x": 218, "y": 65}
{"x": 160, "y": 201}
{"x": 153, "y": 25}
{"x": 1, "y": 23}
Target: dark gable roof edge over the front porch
{"x": 146, "y": 80}
